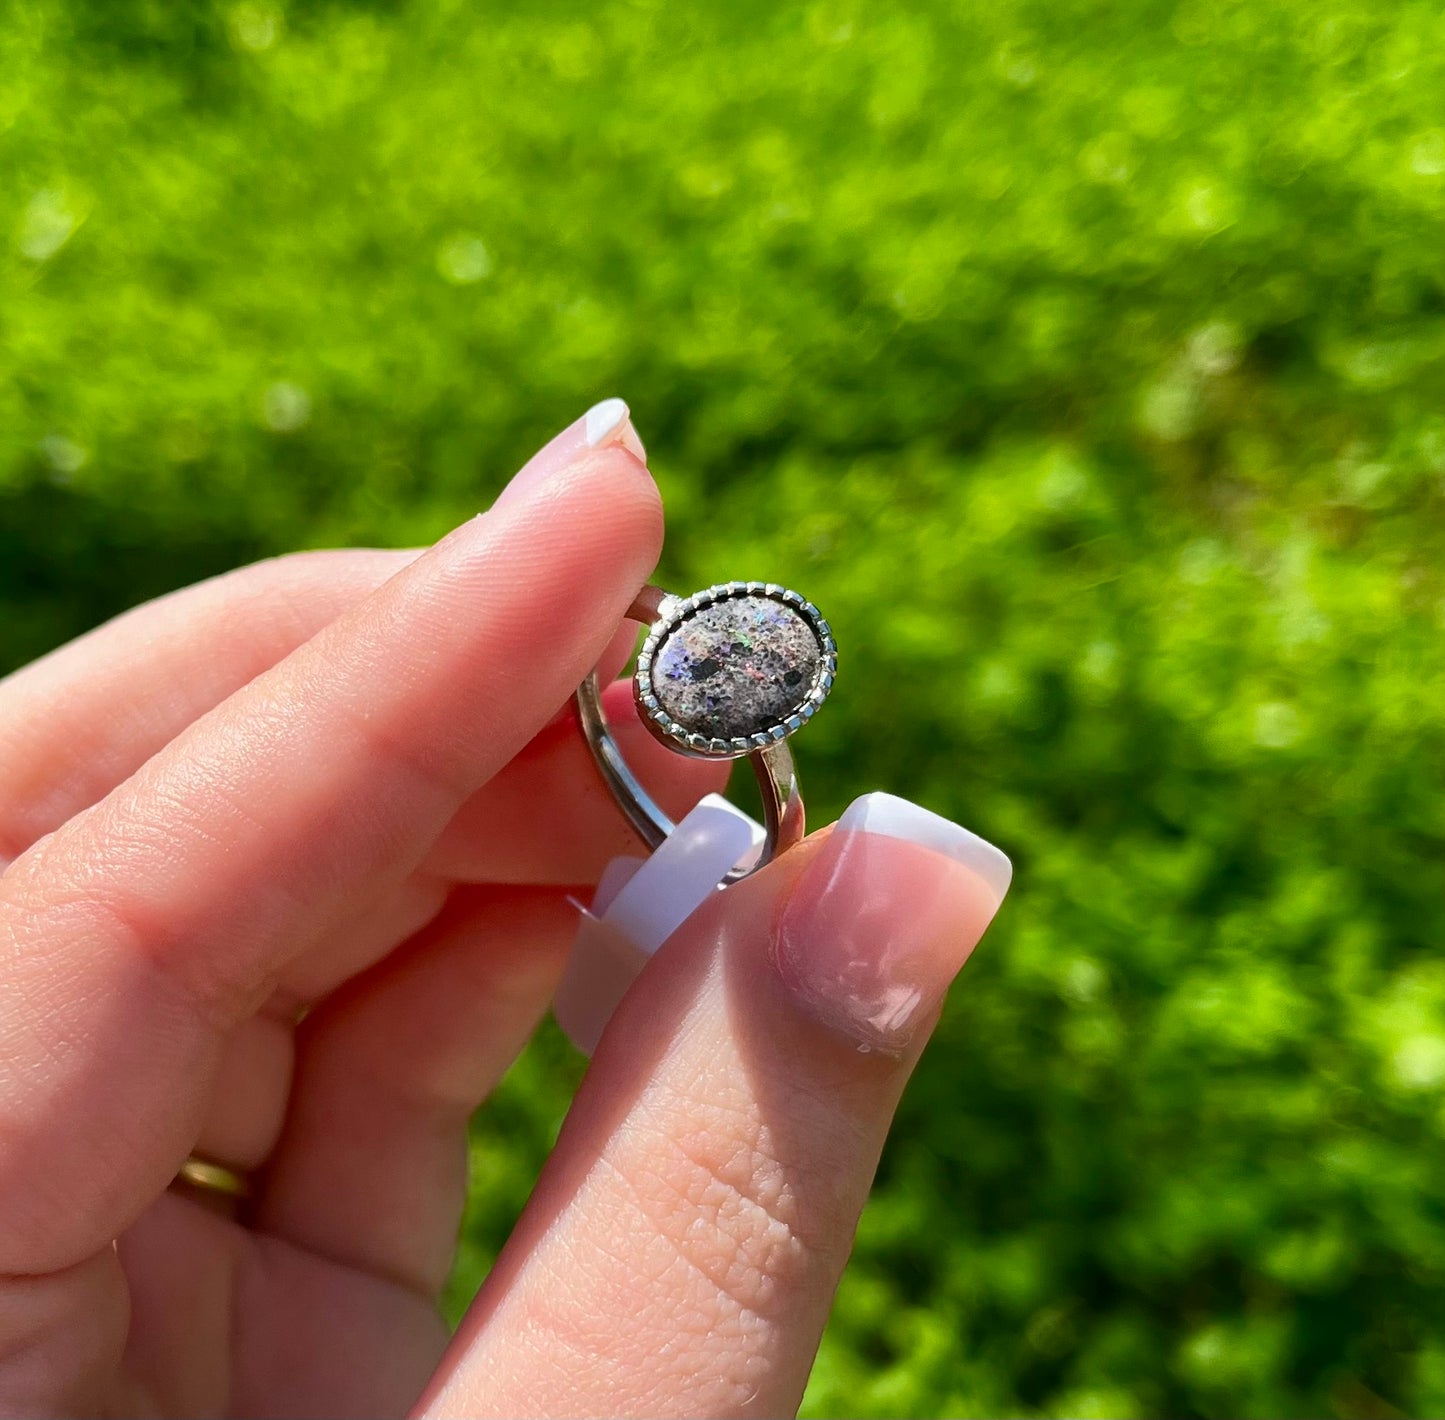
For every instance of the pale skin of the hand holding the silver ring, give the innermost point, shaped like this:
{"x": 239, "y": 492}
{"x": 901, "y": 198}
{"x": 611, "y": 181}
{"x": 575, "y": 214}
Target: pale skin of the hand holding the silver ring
{"x": 288, "y": 862}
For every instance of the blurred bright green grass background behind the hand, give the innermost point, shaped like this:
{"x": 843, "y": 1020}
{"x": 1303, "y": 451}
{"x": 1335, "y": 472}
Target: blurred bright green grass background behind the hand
{"x": 1084, "y": 362}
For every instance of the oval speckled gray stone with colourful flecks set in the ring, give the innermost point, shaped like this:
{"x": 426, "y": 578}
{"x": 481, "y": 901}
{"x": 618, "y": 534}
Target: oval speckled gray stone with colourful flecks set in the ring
{"x": 736, "y": 668}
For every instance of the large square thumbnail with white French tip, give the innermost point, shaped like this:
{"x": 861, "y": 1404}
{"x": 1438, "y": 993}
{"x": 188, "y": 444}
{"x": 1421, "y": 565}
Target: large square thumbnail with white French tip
{"x": 885, "y": 917}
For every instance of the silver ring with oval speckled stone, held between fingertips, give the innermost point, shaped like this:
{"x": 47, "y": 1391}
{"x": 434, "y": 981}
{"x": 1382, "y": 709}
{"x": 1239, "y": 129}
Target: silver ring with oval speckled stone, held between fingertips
{"x": 726, "y": 674}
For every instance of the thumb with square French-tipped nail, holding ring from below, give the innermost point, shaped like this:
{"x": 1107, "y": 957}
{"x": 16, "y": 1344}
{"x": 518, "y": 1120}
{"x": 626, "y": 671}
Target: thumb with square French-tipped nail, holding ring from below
{"x": 684, "y": 1244}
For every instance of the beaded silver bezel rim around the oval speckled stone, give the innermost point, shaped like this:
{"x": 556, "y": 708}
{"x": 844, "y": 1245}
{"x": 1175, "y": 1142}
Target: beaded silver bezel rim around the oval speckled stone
{"x": 680, "y": 610}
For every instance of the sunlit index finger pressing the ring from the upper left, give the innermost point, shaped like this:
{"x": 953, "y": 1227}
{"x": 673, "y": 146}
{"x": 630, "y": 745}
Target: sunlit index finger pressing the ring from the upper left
{"x": 147, "y": 928}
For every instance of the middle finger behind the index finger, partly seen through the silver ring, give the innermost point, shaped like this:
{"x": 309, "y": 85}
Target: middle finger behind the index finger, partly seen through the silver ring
{"x": 80, "y": 722}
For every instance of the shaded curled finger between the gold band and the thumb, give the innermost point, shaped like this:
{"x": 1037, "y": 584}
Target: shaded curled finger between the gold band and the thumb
{"x": 372, "y": 1168}
